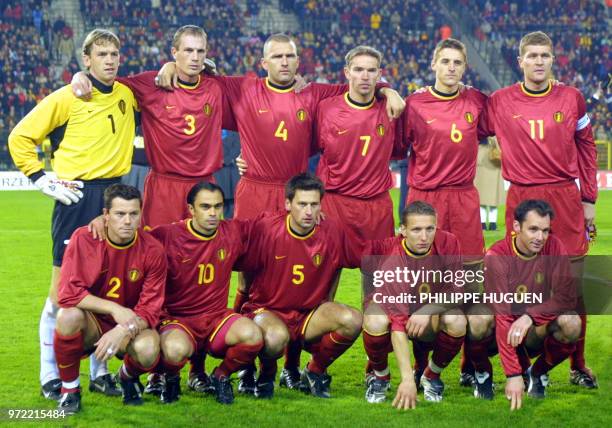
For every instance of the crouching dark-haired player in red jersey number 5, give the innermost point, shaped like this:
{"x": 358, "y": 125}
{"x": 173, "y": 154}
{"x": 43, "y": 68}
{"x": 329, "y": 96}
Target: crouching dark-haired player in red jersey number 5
{"x": 294, "y": 265}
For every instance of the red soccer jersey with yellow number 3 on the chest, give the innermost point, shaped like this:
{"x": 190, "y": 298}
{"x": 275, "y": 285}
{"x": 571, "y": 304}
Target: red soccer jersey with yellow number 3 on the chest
{"x": 182, "y": 128}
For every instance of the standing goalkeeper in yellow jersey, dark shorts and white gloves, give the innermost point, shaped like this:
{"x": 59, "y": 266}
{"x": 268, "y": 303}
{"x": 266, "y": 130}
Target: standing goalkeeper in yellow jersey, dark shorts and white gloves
{"x": 92, "y": 149}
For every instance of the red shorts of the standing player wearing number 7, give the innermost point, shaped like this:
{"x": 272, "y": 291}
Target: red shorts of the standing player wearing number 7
{"x": 363, "y": 219}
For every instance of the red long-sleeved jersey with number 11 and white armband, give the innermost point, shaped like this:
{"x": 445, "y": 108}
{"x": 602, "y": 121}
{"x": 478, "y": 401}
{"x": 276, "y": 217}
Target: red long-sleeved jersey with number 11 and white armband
{"x": 545, "y": 138}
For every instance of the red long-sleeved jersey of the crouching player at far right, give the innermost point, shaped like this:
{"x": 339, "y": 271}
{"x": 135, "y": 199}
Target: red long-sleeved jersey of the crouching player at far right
{"x": 548, "y": 274}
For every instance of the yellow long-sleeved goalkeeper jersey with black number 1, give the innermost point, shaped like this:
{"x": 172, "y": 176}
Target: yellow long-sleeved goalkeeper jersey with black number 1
{"x": 89, "y": 139}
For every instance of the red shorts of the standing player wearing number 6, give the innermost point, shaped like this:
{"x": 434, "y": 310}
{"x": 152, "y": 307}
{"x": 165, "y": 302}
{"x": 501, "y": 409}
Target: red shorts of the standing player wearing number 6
{"x": 458, "y": 210}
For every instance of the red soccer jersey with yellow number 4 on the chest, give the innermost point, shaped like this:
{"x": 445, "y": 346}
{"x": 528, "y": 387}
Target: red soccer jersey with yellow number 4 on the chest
{"x": 275, "y": 125}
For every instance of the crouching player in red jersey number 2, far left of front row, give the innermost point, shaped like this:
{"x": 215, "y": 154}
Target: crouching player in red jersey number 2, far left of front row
{"x": 110, "y": 294}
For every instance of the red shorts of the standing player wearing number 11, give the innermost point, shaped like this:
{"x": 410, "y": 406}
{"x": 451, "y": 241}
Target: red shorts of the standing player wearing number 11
{"x": 565, "y": 200}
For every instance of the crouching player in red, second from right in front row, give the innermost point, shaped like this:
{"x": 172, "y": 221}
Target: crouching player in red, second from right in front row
{"x": 431, "y": 326}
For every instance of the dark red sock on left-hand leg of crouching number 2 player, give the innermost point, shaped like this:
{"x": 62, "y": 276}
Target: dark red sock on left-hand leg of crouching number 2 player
{"x": 68, "y": 352}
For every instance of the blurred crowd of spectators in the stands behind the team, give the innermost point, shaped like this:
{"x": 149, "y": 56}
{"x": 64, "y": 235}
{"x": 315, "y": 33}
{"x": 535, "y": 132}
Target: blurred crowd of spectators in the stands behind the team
{"x": 37, "y": 52}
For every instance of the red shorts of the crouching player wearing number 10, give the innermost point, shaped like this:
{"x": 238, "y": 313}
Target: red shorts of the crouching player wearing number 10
{"x": 207, "y": 332}
